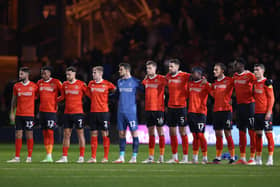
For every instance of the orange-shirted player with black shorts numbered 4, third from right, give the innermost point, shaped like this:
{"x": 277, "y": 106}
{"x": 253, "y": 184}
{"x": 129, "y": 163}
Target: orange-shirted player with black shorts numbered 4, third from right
{"x": 221, "y": 91}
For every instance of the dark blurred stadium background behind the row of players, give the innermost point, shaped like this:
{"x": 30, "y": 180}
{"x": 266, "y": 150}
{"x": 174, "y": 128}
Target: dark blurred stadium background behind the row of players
{"x": 86, "y": 33}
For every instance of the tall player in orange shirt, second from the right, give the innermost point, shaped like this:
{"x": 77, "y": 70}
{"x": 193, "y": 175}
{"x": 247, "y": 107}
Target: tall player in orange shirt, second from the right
{"x": 245, "y": 110}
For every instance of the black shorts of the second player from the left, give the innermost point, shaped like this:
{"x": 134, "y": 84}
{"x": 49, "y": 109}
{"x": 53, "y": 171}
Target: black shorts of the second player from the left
{"x": 47, "y": 120}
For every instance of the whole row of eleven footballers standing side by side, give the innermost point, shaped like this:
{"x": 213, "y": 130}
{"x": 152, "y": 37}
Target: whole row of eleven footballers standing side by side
{"x": 254, "y": 95}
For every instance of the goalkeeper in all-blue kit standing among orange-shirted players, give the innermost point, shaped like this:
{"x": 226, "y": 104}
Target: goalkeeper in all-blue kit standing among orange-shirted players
{"x": 127, "y": 89}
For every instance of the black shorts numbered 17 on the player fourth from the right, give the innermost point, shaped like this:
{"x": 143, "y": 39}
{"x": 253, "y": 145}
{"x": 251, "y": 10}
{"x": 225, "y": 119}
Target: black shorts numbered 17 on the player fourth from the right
{"x": 197, "y": 122}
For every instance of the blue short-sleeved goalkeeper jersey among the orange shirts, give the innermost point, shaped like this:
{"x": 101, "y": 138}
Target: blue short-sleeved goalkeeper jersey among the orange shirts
{"x": 127, "y": 90}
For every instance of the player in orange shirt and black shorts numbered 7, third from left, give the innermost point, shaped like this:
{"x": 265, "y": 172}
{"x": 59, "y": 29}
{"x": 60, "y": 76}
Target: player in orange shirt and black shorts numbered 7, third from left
{"x": 73, "y": 91}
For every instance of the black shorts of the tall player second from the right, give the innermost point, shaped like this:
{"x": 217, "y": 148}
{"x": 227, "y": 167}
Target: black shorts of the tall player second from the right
{"x": 245, "y": 116}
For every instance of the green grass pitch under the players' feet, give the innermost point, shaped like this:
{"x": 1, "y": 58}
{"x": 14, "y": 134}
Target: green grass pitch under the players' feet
{"x": 73, "y": 174}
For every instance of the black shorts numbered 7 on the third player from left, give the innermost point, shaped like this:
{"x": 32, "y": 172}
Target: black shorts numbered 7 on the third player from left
{"x": 73, "y": 120}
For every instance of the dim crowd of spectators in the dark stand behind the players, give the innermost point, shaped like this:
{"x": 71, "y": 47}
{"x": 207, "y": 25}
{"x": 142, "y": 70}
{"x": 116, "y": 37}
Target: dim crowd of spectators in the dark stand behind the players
{"x": 199, "y": 33}
